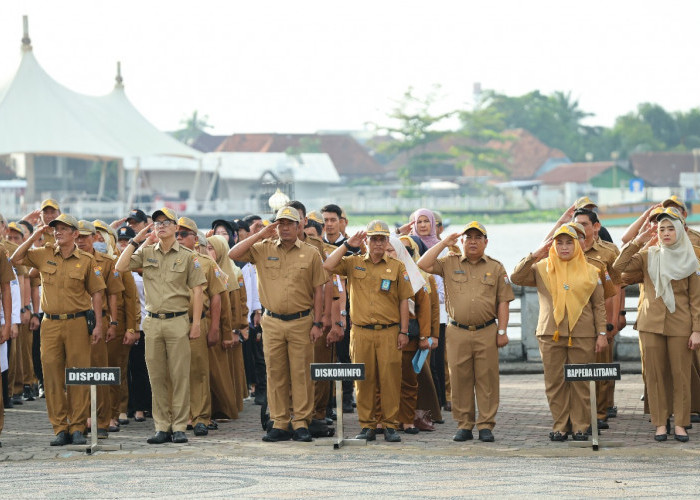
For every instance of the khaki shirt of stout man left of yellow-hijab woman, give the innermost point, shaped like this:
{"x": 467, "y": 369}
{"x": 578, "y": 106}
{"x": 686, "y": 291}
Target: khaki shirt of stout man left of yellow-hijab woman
{"x": 473, "y": 291}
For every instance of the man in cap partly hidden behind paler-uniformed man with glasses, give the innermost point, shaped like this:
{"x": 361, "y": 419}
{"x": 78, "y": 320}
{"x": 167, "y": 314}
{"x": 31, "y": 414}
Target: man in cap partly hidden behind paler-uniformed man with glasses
{"x": 200, "y": 392}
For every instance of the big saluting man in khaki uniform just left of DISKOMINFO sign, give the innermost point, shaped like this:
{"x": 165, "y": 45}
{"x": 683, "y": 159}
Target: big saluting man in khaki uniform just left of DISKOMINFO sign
{"x": 290, "y": 282}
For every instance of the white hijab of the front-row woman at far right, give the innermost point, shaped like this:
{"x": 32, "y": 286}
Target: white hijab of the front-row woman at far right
{"x": 672, "y": 262}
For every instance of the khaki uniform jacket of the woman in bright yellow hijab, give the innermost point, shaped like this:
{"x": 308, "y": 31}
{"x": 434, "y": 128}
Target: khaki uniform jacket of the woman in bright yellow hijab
{"x": 592, "y": 320}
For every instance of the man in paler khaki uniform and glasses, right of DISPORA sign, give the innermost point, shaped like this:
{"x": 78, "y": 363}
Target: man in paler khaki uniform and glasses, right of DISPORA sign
{"x": 169, "y": 272}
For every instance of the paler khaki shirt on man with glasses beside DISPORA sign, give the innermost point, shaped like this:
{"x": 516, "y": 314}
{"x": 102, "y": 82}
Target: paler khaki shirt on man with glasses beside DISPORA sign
{"x": 167, "y": 277}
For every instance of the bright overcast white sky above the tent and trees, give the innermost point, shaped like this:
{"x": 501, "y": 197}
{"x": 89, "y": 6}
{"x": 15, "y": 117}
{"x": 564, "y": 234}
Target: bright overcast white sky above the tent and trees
{"x": 302, "y": 66}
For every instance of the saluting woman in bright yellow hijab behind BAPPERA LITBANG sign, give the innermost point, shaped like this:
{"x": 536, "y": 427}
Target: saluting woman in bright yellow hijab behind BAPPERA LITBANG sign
{"x": 571, "y": 325}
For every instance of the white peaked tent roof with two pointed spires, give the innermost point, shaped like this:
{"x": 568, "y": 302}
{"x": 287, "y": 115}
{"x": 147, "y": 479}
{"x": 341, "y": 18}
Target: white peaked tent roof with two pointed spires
{"x": 39, "y": 115}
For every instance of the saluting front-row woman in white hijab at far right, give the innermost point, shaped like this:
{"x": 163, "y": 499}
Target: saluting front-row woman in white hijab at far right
{"x": 669, "y": 316}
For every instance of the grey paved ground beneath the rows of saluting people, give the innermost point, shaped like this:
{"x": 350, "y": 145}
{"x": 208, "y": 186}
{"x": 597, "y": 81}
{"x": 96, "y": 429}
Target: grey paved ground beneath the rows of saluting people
{"x": 234, "y": 462}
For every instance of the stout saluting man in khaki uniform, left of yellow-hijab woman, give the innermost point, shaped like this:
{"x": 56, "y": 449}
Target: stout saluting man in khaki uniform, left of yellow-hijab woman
{"x": 477, "y": 293}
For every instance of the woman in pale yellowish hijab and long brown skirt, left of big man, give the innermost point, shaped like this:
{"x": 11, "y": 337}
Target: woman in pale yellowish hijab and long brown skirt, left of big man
{"x": 224, "y": 401}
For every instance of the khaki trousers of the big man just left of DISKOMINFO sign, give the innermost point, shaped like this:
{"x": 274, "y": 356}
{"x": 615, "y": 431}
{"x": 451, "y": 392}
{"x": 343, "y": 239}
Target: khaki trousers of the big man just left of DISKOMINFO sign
{"x": 288, "y": 353}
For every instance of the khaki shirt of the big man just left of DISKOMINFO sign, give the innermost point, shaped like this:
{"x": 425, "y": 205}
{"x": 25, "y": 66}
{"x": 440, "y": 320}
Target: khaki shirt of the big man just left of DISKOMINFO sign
{"x": 286, "y": 278}
